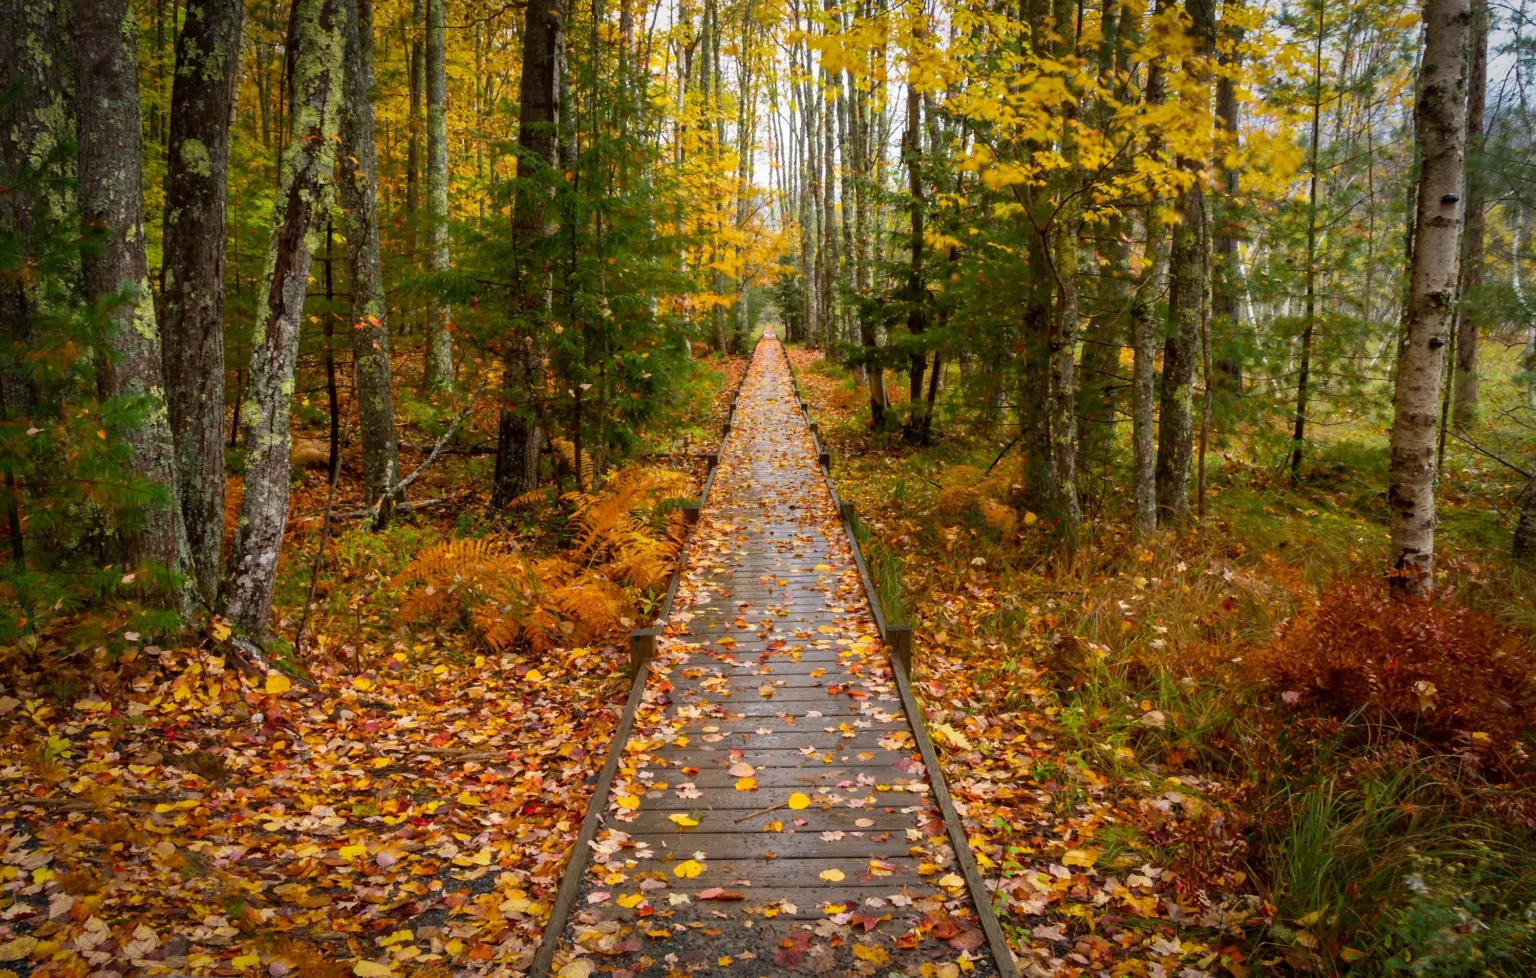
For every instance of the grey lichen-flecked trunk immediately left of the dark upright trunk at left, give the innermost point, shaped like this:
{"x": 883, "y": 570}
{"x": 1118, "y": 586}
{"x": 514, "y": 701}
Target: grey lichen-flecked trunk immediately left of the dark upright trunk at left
{"x": 118, "y": 271}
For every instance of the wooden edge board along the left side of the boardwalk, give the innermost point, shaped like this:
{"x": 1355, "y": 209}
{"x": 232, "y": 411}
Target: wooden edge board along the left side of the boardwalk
{"x": 643, "y": 646}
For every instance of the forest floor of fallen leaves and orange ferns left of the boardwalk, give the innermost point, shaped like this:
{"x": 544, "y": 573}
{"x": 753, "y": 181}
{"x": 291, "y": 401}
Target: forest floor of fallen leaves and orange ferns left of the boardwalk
{"x": 168, "y": 813}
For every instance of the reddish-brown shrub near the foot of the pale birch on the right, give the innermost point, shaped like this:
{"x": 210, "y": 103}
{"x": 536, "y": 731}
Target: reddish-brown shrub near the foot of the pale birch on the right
{"x": 1445, "y": 672}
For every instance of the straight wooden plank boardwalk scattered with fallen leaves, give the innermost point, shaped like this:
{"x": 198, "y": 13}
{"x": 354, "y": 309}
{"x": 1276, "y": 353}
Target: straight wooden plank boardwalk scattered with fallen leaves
{"x": 772, "y": 811}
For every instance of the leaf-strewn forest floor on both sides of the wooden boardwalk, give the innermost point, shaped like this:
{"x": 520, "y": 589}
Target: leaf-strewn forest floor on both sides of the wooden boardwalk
{"x": 1216, "y": 753}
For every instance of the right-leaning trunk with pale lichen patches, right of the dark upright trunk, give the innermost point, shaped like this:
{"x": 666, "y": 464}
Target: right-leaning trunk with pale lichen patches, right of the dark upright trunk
{"x": 303, "y": 203}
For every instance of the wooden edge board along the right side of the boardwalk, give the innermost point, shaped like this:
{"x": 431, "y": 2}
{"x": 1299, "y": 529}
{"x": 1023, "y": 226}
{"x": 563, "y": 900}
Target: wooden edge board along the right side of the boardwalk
{"x": 899, "y": 639}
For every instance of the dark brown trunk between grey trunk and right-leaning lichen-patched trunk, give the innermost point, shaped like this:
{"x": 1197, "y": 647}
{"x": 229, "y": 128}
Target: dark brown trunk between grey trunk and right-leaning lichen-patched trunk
{"x": 193, "y": 274}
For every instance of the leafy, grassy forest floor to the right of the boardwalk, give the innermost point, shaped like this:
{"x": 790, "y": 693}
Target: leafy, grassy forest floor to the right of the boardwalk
{"x": 1222, "y": 752}
